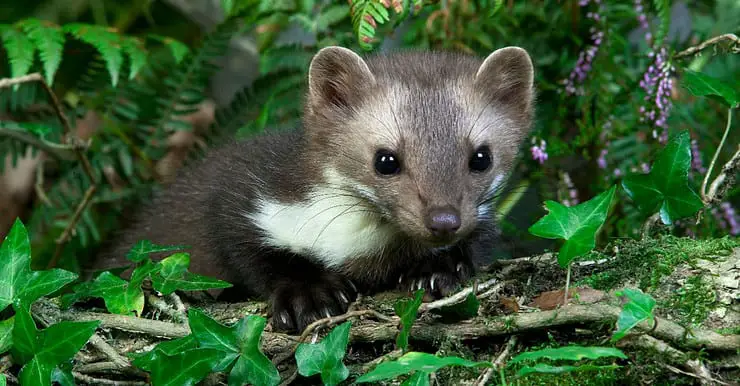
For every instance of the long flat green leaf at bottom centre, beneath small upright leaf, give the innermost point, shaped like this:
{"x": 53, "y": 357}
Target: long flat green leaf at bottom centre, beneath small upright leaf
{"x": 416, "y": 361}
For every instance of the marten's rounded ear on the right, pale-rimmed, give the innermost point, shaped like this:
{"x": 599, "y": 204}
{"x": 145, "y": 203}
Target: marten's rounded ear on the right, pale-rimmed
{"x": 506, "y": 77}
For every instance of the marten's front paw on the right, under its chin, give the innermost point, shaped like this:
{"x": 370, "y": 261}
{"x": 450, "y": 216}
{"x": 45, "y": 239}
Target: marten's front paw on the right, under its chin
{"x": 437, "y": 282}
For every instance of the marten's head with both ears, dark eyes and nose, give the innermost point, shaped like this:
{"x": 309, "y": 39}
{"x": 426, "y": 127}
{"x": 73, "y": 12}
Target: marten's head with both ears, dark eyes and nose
{"x": 426, "y": 138}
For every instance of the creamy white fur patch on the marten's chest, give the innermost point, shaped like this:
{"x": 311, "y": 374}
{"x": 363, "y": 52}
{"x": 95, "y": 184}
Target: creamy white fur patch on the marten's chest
{"x": 331, "y": 225}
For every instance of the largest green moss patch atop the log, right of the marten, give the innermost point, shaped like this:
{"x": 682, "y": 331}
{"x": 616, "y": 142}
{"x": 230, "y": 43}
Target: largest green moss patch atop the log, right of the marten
{"x": 646, "y": 262}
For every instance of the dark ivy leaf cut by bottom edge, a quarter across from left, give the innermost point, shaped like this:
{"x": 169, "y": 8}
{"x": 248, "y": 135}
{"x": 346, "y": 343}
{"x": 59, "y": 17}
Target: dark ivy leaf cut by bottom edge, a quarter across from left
{"x": 184, "y": 368}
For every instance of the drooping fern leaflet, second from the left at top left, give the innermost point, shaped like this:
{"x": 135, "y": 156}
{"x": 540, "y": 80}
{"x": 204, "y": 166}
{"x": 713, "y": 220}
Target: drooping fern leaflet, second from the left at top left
{"x": 49, "y": 40}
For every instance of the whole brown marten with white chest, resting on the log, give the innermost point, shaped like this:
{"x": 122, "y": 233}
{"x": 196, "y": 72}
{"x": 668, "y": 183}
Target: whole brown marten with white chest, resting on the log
{"x": 388, "y": 184}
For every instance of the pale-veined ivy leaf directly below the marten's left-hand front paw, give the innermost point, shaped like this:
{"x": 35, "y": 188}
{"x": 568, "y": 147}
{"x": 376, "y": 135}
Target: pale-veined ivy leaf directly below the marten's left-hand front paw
{"x": 326, "y": 357}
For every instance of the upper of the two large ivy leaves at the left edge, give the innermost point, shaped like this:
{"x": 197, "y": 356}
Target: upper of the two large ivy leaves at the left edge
{"x": 17, "y": 280}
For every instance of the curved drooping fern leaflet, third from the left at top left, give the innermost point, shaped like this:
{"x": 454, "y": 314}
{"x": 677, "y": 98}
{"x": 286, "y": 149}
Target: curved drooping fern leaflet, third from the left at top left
{"x": 105, "y": 40}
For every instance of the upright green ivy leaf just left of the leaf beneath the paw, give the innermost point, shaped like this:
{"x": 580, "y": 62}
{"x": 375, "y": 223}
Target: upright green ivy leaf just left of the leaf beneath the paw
{"x": 253, "y": 367}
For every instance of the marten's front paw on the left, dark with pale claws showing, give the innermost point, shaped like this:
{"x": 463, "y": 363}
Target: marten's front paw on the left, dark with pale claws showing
{"x": 297, "y": 304}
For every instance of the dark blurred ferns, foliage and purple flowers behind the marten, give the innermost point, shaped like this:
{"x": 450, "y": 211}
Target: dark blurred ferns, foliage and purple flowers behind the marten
{"x": 207, "y": 77}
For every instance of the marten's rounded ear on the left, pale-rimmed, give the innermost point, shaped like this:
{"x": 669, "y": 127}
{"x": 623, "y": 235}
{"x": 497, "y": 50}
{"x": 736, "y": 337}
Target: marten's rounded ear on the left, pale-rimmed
{"x": 337, "y": 78}
